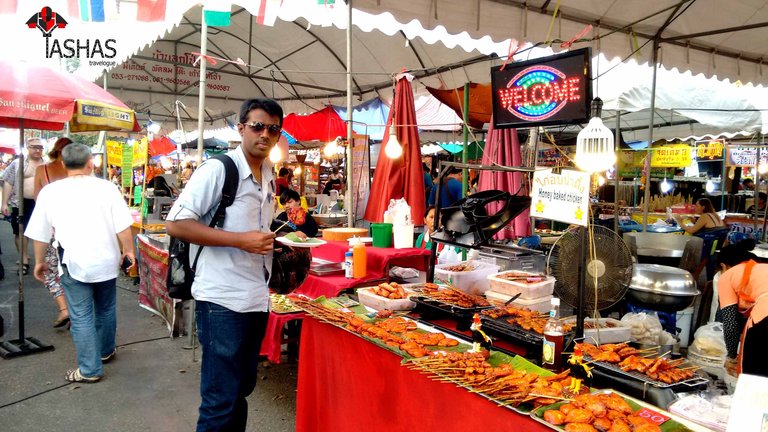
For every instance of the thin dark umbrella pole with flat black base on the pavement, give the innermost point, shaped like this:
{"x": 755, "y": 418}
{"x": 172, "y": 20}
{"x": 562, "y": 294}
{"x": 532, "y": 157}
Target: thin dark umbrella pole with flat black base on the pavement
{"x": 23, "y": 345}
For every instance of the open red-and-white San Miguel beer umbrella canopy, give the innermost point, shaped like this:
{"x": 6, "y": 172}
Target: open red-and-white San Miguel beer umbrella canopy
{"x": 37, "y": 97}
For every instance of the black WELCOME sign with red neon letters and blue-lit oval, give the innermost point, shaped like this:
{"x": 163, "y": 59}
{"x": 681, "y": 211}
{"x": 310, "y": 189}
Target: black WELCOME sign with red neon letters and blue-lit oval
{"x": 553, "y": 90}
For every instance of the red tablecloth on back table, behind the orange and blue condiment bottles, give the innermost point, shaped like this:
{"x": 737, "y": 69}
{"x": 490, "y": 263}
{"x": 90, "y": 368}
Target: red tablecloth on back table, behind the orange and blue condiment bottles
{"x": 377, "y": 258}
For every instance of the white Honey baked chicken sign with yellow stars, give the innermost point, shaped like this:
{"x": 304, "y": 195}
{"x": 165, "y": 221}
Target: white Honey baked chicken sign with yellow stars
{"x": 561, "y": 197}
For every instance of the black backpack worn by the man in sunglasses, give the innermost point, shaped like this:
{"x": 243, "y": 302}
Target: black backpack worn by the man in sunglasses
{"x": 181, "y": 273}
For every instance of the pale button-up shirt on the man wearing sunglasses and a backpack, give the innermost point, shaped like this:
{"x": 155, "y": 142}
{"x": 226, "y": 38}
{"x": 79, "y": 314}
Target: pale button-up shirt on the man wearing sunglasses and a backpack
{"x": 227, "y": 276}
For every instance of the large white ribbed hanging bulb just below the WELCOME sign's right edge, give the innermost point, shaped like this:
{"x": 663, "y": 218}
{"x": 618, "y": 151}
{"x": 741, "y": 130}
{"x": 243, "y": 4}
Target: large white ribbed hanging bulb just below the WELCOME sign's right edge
{"x": 594, "y": 144}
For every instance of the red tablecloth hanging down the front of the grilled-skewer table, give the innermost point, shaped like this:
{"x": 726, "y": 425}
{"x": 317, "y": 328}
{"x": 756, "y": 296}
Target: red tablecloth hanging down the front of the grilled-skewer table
{"x": 349, "y": 384}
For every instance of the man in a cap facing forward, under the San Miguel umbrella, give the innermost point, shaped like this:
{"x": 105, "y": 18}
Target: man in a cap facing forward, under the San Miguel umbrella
{"x": 11, "y": 195}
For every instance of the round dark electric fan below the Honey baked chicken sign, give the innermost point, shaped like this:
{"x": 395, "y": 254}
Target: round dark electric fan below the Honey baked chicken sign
{"x": 612, "y": 265}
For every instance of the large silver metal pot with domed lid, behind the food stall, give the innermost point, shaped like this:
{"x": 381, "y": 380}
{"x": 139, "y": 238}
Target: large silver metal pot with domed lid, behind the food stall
{"x": 662, "y": 288}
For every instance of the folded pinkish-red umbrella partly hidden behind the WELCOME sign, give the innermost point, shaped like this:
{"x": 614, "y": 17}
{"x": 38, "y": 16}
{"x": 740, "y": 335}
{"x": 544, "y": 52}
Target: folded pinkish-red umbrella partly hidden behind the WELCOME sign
{"x": 503, "y": 148}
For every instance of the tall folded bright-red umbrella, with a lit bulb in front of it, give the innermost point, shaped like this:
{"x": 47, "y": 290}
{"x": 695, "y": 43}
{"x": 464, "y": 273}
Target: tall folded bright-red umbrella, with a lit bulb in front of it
{"x": 402, "y": 177}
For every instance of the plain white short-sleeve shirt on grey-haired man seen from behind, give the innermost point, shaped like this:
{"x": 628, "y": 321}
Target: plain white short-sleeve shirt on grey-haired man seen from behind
{"x": 87, "y": 213}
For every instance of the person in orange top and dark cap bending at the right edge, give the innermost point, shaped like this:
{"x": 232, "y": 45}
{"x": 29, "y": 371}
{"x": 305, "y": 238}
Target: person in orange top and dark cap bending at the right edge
{"x": 743, "y": 291}
